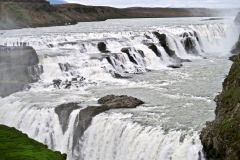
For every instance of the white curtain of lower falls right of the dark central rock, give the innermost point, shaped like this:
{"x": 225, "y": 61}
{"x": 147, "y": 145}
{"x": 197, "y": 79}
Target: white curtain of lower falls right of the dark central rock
{"x": 114, "y": 137}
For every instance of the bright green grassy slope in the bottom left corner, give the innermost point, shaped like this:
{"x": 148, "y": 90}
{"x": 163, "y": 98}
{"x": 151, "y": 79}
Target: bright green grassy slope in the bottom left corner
{"x": 15, "y": 145}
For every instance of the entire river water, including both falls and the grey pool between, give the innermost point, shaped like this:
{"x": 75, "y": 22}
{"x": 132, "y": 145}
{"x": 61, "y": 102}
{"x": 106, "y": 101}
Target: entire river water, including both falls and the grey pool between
{"x": 178, "y": 100}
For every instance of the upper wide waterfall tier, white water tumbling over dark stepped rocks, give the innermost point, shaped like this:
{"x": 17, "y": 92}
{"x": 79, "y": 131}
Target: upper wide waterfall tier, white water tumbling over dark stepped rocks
{"x": 98, "y": 57}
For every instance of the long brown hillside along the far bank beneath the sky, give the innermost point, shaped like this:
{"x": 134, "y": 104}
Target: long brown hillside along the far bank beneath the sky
{"x": 38, "y": 13}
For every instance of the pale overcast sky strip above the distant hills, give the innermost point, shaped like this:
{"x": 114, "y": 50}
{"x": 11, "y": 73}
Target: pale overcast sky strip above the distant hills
{"x": 162, "y": 3}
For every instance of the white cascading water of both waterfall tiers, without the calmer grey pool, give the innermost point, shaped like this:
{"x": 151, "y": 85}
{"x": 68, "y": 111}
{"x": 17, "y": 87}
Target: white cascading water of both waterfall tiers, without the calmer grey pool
{"x": 73, "y": 62}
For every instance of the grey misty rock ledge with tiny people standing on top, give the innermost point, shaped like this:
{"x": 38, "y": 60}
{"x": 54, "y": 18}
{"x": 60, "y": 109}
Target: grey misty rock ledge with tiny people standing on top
{"x": 18, "y": 67}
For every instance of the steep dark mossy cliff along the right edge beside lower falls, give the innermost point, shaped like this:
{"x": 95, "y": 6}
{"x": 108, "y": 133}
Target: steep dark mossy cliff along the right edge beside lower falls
{"x": 221, "y": 138}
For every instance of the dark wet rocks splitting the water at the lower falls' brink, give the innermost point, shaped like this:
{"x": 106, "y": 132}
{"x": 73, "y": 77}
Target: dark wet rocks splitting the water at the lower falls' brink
{"x": 86, "y": 114}
